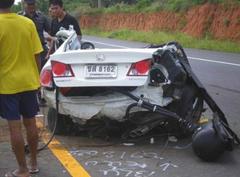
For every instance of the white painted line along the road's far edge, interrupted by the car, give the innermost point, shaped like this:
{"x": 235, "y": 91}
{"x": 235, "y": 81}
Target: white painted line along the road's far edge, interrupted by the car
{"x": 192, "y": 58}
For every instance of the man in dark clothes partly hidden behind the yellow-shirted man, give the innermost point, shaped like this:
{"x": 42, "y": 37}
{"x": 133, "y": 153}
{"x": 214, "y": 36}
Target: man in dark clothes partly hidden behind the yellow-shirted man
{"x": 40, "y": 20}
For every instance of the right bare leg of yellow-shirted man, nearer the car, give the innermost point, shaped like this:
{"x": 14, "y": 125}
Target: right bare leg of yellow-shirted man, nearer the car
{"x": 32, "y": 139}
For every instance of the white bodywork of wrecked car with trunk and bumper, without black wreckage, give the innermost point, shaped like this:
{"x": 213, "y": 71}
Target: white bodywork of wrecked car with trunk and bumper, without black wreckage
{"x": 86, "y": 79}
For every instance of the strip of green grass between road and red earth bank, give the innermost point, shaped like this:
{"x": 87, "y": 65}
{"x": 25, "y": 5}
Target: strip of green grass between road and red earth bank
{"x": 159, "y": 37}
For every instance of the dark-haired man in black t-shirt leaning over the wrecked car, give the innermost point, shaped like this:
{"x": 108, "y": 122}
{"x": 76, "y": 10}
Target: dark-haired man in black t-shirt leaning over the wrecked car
{"x": 61, "y": 20}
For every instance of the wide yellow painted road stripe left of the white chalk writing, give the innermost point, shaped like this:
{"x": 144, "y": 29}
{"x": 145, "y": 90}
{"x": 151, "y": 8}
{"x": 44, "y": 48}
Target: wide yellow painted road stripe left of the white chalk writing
{"x": 68, "y": 161}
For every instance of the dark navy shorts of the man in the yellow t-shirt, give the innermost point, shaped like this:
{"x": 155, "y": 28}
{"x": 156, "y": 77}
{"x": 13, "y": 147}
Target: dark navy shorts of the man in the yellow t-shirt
{"x": 13, "y": 106}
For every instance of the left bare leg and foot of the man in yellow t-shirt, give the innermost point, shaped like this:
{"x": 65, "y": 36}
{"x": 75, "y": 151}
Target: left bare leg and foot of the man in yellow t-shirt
{"x": 17, "y": 142}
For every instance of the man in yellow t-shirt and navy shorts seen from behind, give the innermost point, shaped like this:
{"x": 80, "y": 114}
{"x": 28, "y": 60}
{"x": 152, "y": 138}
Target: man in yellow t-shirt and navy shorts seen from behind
{"x": 20, "y": 47}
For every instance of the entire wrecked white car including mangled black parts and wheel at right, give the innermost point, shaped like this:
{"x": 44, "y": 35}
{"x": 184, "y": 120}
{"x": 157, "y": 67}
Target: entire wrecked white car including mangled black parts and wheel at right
{"x": 144, "y": 88}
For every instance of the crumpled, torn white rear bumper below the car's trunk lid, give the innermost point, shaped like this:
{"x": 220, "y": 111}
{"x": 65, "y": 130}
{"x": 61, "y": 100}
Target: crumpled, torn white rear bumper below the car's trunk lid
{"x": 113, "y": 106}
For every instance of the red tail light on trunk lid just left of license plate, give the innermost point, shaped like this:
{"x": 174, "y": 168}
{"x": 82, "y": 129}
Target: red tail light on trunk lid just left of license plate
{"x": 61, "y": 69}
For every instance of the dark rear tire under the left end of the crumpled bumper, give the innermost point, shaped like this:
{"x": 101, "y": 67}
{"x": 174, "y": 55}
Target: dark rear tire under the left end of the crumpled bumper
{"x": 64, "y": 124}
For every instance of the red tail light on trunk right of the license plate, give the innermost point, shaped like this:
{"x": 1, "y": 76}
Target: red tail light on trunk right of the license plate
{"x": 140, "y": 68}
